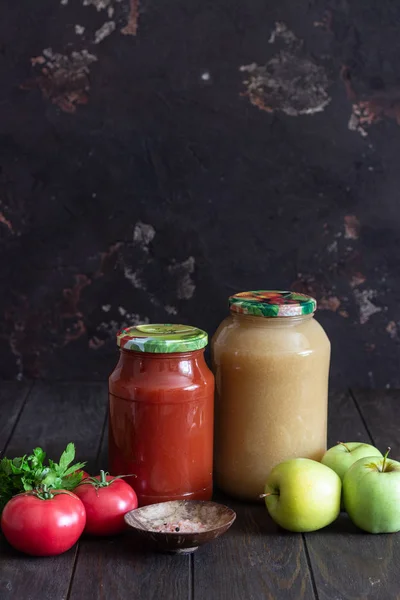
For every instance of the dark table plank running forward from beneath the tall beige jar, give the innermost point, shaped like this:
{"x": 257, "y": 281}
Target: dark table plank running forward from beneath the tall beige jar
{"x": 254, "y": 559}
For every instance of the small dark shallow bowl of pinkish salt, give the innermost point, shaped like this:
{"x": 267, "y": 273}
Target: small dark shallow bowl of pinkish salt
{"x": 180, "y": 526}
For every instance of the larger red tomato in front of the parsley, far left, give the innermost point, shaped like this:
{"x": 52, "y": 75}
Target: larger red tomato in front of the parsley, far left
{"x": 43, "y": 527}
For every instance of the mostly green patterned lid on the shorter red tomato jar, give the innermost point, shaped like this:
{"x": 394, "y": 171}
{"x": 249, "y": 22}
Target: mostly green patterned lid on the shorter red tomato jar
{"x": 162, "y": 338}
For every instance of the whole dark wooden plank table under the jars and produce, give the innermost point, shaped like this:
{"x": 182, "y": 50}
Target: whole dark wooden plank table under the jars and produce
{"x": 254, "y": 560}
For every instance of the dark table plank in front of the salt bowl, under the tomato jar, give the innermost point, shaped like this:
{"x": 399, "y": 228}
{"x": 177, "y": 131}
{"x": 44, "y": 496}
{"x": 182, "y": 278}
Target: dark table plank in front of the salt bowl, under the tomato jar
{"x": 122, "y": 568}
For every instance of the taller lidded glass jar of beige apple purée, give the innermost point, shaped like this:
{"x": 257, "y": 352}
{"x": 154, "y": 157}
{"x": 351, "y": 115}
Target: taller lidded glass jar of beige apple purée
{"x": 271, "y": 365}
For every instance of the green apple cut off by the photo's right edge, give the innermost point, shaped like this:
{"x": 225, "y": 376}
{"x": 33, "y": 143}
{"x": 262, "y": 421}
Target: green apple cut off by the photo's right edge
{"x": 371, "y": 494}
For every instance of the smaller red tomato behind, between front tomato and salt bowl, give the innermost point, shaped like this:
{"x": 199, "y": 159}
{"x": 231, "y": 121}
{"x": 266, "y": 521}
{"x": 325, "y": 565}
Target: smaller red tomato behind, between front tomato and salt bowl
{"x": 106, "y": 499}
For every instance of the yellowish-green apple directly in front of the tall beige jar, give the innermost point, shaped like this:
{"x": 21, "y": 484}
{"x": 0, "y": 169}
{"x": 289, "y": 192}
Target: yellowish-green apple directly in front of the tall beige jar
{"x": 303, "y": 495}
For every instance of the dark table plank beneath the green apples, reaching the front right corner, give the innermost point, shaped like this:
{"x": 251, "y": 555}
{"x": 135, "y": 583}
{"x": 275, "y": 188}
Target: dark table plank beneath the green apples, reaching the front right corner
{"x": 347, "y": 563}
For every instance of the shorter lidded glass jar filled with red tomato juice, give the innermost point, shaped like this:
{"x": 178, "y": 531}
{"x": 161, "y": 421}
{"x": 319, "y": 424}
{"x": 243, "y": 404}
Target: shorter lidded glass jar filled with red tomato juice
{"x": 161, "y": 413}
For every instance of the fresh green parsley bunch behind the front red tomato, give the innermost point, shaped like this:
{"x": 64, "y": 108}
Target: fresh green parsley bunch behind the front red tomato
{"x": 30, "y": 472}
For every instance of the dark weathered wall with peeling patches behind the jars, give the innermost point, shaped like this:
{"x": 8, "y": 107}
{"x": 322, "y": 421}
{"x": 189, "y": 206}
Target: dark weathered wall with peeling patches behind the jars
{"x": 155, "y": 157}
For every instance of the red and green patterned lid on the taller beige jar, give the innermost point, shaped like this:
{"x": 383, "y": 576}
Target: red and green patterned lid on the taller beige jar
{"x": 272, "y": 303}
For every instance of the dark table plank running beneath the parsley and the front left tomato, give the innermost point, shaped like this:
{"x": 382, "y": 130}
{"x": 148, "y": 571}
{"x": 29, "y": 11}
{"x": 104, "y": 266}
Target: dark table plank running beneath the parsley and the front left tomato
{"x": 53, "y": 416}
